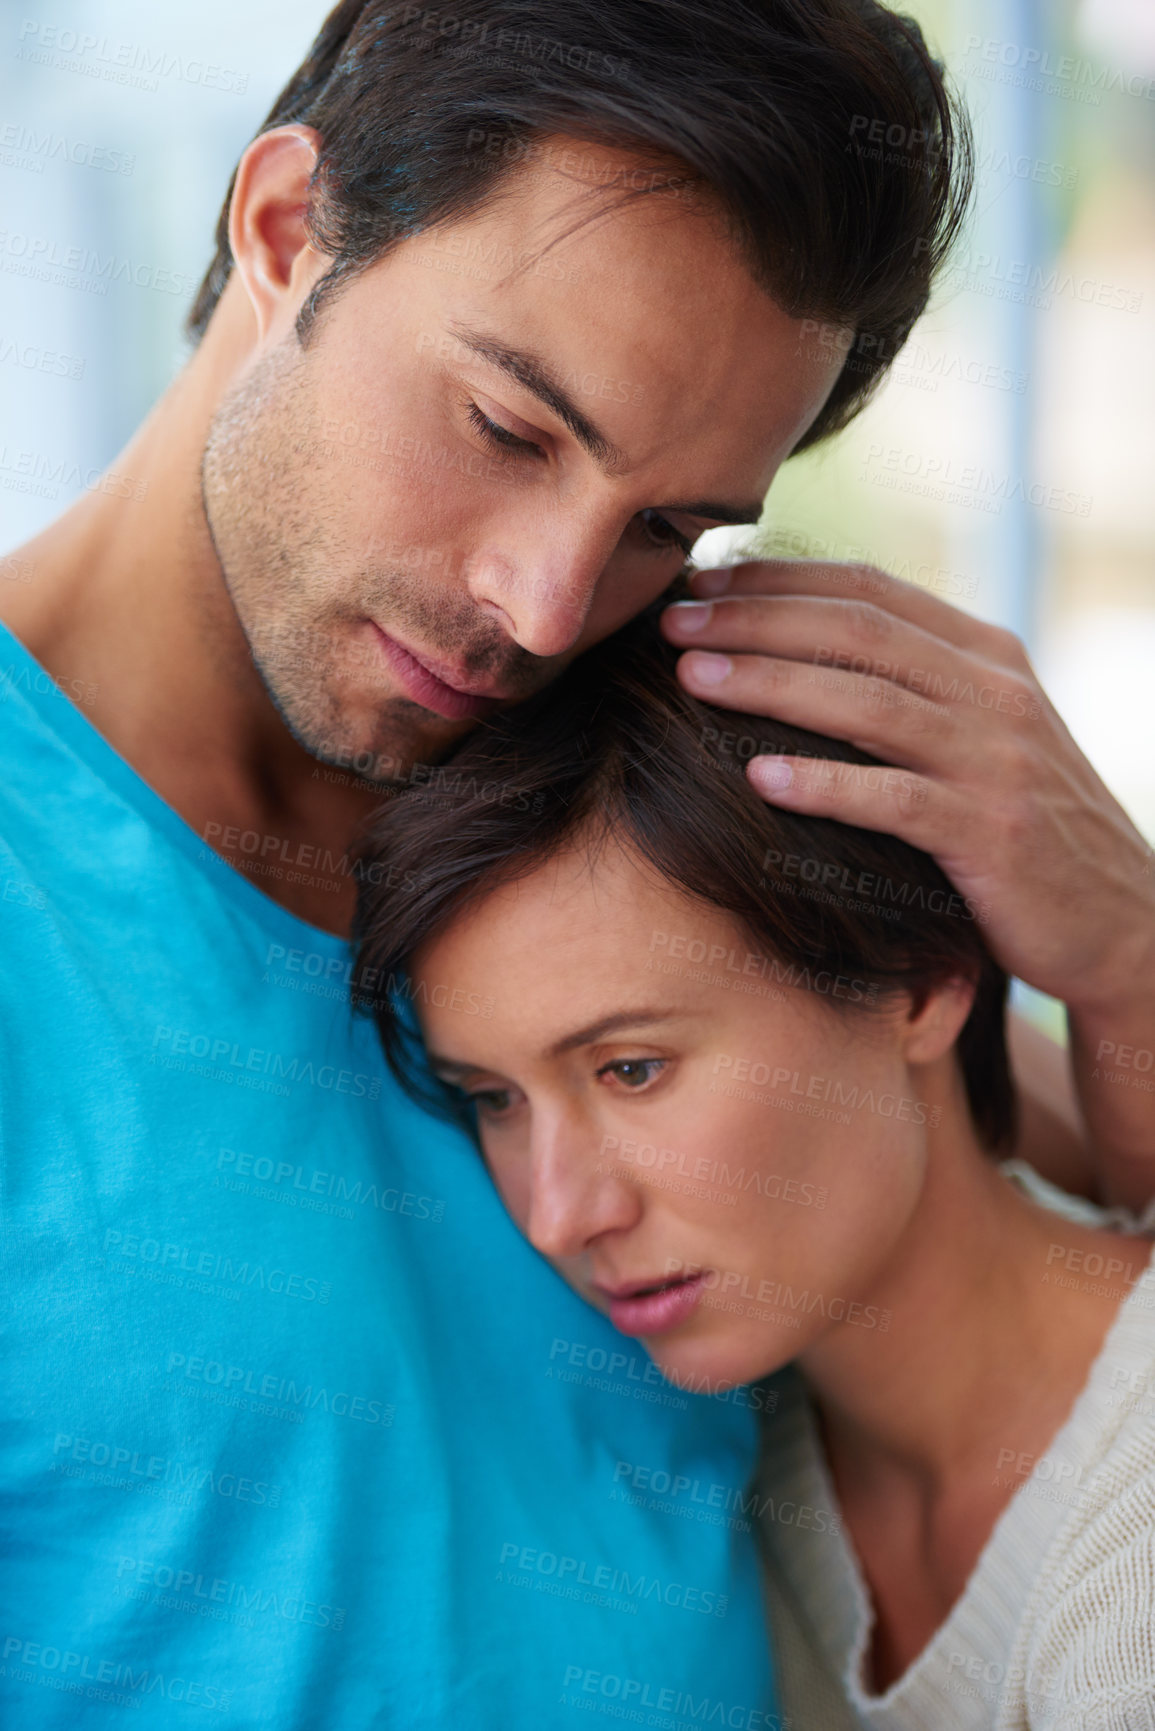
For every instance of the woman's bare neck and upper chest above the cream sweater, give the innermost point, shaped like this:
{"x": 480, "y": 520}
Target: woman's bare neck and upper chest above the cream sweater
{"x": 932, "y": 1425}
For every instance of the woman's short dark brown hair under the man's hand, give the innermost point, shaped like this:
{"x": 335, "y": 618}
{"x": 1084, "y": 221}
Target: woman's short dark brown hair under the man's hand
{"x": 617, "y": 750}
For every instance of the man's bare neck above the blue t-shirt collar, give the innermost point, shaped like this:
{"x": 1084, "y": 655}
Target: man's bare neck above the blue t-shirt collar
{"x": 127, "y": 607}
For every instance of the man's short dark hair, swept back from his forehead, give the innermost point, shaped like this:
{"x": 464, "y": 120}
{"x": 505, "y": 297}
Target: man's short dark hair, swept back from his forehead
{"x": 822, "y": 129}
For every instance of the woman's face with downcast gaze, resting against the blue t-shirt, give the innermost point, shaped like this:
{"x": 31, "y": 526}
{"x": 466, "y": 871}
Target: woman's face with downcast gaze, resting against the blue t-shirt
{"x": 718, "y": 1159}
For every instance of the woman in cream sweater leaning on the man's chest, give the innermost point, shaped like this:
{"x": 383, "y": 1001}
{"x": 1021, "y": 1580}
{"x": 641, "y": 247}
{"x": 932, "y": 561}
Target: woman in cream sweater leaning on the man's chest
{"x": 740, "y": 1078}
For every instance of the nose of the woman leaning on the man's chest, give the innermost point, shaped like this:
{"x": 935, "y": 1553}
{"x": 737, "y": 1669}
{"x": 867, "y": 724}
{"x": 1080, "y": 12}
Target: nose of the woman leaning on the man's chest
{"x": 576, "y": 1195}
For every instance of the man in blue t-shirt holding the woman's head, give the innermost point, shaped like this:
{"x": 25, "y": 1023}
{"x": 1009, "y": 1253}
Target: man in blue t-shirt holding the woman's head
{"x": 508, "y": 307}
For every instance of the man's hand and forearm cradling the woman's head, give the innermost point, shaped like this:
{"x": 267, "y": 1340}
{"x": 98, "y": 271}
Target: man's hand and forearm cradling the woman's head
{"x": 981, "y": 773}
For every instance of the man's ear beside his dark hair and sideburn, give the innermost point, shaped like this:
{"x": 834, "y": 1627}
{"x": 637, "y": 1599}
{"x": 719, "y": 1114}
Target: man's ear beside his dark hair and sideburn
{"x": 268, "y": 235}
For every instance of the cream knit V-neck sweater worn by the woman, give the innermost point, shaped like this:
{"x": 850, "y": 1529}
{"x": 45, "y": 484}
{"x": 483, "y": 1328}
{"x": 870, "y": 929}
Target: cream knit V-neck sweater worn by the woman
{"x": 1055, "y": 1630}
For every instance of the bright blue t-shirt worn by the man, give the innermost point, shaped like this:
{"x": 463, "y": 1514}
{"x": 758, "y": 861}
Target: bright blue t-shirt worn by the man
{"x": 295, "y": 1429}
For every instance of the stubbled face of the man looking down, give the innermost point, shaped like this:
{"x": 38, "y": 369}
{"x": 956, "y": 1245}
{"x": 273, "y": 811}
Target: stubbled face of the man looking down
{"x": 496, "y": 447}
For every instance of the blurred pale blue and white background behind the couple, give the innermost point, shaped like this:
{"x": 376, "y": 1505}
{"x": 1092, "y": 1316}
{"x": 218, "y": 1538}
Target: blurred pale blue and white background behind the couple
{"x": 1007, "y": 465}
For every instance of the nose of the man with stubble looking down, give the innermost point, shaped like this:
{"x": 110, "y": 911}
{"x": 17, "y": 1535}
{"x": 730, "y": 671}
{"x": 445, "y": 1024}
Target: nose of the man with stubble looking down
{"x": 545, "y": 582}
